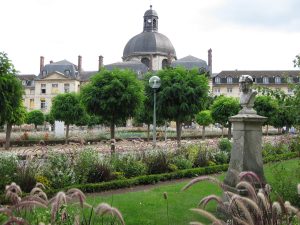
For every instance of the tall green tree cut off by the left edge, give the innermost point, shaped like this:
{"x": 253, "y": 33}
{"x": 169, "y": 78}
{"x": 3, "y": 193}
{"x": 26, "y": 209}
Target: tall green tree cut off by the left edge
{"x": 11, "y": 92}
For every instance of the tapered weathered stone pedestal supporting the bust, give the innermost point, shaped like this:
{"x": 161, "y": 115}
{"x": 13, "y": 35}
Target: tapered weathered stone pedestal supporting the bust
{"x": 246, "y": 154}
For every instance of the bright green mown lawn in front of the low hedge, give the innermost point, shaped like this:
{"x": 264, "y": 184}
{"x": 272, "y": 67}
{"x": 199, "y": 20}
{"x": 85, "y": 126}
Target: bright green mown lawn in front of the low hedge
{"x": 149, "y": 206}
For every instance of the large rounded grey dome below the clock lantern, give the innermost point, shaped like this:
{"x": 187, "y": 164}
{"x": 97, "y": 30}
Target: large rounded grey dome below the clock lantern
{"x": 149, "y": 43}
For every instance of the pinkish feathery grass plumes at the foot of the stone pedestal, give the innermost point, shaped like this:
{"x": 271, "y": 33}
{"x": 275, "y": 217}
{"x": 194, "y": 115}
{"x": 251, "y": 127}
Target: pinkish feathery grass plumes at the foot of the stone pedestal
{"x": 256, "y": 208}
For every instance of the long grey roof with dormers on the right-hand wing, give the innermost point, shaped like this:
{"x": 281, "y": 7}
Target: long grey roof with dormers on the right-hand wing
{"x": 259, "y": 73}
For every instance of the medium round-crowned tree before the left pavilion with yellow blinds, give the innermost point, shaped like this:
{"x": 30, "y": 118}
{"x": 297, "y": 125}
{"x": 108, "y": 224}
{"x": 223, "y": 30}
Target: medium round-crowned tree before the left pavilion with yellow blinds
{"x": 67, "y": 108}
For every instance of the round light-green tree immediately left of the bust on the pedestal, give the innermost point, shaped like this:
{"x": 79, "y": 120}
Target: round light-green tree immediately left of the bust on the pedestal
{"x": 224, "y": 107}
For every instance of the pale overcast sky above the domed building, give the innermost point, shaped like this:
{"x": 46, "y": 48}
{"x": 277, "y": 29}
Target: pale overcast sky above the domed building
{"x": 243, "y": 34}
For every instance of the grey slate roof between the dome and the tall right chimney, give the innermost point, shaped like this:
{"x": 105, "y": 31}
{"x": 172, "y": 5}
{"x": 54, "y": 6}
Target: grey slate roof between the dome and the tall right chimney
{"x": 190, "y": 62}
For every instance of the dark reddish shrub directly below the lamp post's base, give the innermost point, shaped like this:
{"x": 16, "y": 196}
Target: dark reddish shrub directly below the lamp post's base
{"x": 158, "y": 162}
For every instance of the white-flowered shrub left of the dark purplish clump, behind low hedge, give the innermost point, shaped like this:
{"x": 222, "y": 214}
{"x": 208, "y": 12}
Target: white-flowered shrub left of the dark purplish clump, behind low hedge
{"x": 58, "y": 169}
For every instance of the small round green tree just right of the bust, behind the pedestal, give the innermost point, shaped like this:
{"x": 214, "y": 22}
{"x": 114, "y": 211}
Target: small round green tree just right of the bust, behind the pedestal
{"x": 266, "y": 106}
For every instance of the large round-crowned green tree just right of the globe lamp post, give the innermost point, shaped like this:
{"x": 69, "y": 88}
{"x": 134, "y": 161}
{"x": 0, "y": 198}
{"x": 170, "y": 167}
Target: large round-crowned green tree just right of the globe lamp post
{"x": 182, "y": 94}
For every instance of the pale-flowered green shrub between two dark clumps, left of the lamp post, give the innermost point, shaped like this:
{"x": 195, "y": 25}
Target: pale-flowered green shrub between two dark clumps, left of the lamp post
{"x": 129, "y": 165}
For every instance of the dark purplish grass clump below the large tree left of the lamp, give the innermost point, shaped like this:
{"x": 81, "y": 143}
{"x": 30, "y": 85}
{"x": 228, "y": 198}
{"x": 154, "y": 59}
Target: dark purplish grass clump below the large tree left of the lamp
{"x": 100, "y": 171}
